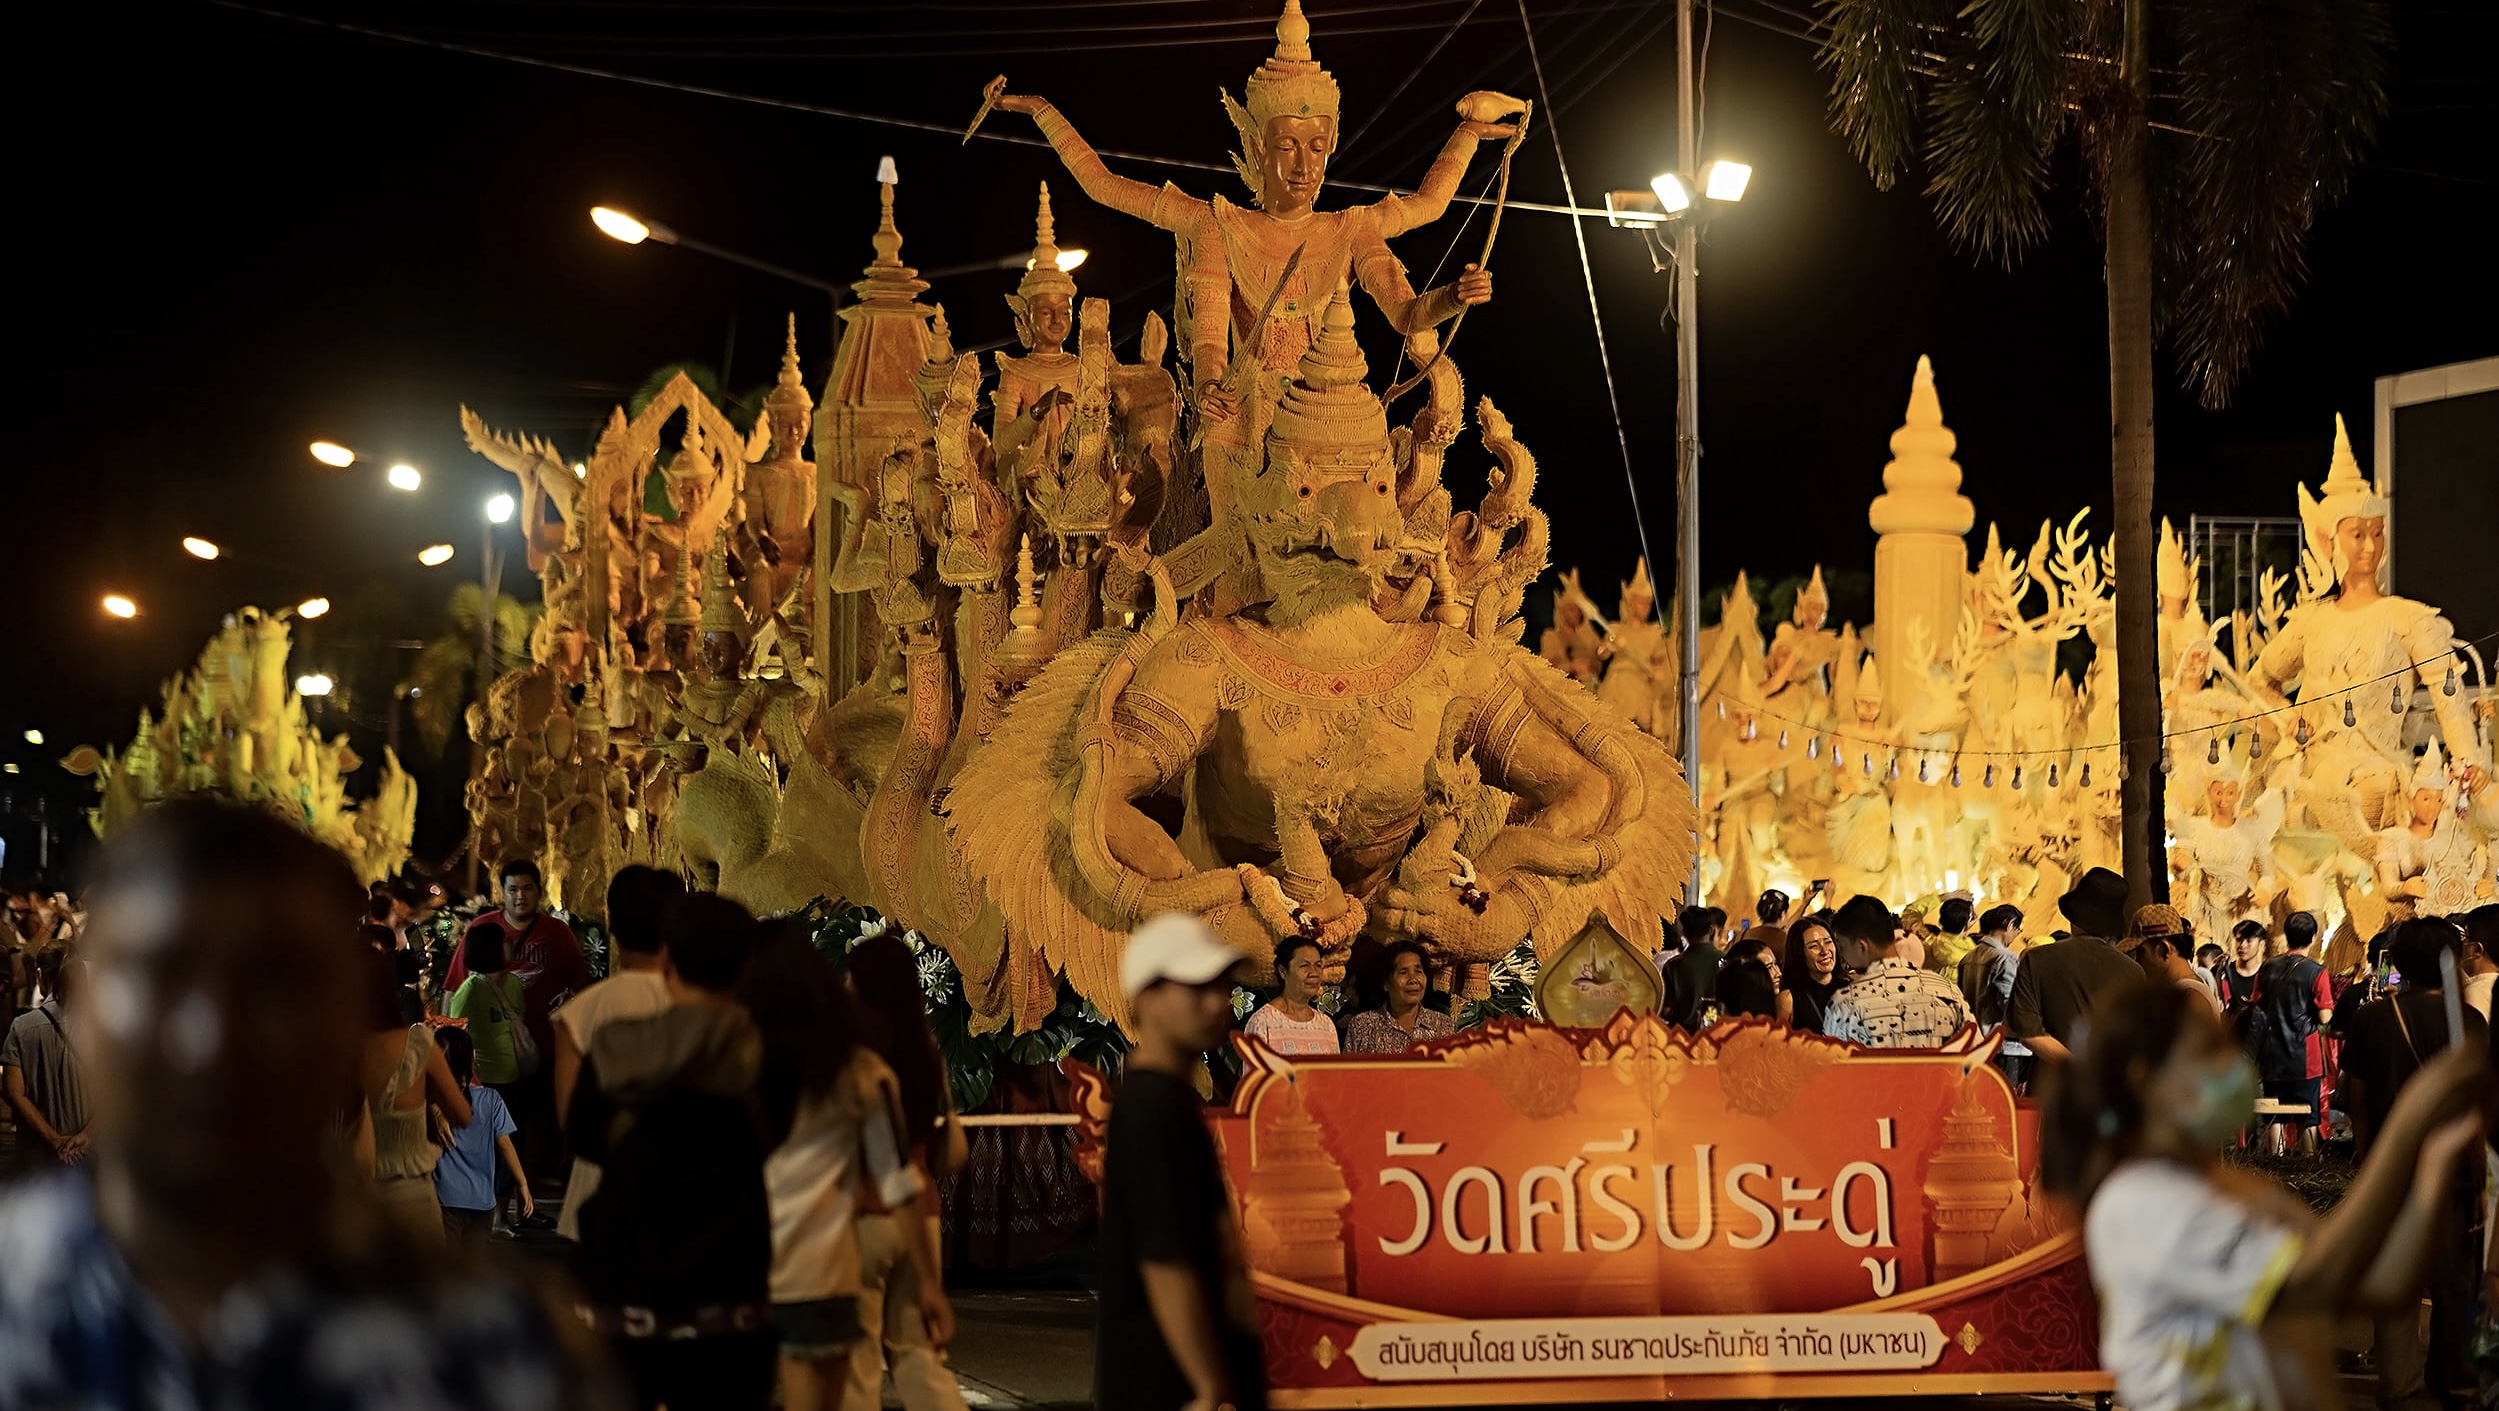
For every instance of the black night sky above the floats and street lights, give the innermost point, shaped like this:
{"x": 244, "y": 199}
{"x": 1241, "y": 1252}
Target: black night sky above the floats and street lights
{"x": 241, "y": 234}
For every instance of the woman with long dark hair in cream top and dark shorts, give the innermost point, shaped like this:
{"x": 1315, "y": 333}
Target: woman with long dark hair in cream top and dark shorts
{"x": 838, "y": 1123}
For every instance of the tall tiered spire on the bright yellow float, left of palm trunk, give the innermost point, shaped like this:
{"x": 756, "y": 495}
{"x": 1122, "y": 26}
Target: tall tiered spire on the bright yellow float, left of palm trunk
{"x": 1920, "y": 521}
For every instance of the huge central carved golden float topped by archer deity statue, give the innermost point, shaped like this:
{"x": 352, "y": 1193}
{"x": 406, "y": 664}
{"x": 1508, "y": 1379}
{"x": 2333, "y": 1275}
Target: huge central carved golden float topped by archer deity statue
{"x": 1023, "y": 681}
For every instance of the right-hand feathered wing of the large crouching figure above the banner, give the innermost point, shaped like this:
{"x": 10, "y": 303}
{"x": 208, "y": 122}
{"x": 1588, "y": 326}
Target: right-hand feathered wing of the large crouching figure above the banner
{"x": 1643, "y": 893}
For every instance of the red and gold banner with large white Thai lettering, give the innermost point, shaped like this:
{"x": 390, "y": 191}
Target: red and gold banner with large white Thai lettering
{"x": 1571, "y": 1215}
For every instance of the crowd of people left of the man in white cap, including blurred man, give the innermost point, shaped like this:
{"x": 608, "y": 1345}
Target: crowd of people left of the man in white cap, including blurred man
{"x": 266, "y": 1155}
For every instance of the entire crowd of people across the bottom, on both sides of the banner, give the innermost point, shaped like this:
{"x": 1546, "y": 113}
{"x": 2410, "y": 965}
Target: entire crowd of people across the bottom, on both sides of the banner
{"x": 266, "y": 1153}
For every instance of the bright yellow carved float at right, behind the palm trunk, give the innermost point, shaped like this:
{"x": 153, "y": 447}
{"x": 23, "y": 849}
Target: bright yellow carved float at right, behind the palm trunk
{"x": 2330, "y": 758}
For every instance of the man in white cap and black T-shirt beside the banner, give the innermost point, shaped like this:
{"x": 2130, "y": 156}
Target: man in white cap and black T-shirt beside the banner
{"x": 1176, "y": 1317}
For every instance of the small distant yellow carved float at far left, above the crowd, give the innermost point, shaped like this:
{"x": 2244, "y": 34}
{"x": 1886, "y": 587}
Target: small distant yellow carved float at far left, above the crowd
{"x": 234, "y": 725}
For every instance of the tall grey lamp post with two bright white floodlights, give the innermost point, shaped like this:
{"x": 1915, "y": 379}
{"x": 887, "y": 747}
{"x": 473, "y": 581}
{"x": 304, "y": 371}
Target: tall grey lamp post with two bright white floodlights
{"x": 1683, "y": 201}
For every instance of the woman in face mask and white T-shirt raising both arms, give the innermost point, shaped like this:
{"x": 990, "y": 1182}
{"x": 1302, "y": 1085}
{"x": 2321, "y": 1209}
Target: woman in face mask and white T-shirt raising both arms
{"x": 2220, "y": 1287}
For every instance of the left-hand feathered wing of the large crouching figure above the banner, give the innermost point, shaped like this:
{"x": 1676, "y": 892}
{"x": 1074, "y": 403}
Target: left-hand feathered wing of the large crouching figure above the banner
{"x": 1008, "y": 820}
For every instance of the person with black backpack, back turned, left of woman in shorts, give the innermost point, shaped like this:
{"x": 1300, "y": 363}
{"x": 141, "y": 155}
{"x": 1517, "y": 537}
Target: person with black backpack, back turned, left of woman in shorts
{"x": 676, "y": 1260}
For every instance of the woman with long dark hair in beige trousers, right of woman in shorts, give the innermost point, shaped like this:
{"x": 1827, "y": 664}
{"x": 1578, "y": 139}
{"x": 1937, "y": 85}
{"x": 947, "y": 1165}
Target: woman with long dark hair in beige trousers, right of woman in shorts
{"x": 886, "y": 978}
